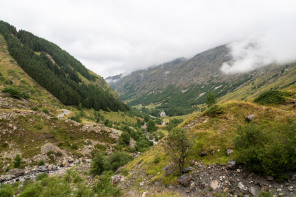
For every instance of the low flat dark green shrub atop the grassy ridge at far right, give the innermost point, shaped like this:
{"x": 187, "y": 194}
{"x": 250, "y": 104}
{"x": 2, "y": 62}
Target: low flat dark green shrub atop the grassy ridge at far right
{"x": 272, "y": 97}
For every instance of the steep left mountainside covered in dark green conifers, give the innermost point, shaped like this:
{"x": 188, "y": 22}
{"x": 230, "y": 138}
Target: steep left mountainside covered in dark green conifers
{"x": 59, "y": 72}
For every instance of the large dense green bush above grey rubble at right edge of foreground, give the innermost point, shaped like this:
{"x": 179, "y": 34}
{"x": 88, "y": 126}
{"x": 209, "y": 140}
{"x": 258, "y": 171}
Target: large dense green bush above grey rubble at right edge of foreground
{"x": 267, "y": 149}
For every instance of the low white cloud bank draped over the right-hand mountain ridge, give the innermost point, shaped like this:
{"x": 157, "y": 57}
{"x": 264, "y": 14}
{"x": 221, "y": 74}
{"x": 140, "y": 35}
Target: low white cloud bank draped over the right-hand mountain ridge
{"x": 274, "y": 45}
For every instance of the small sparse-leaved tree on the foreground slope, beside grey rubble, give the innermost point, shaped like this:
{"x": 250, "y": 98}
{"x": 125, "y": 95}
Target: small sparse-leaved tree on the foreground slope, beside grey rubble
{"x": 178, "y": 146}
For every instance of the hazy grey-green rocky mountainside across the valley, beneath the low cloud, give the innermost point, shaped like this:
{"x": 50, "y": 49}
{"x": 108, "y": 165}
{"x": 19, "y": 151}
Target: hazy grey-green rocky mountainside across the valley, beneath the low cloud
{"x": 179, "y": 86}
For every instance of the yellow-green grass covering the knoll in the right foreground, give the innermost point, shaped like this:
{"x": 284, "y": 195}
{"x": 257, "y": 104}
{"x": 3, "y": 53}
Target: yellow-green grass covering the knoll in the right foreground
{"x": 211, "y": 136}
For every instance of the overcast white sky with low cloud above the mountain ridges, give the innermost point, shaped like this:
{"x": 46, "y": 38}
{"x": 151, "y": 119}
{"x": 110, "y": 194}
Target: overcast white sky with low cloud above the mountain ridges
{"x": 115, "y": 36}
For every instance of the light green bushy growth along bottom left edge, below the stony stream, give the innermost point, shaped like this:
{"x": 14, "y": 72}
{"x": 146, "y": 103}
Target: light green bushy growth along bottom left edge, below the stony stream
{"x": 70, "y": 184}
